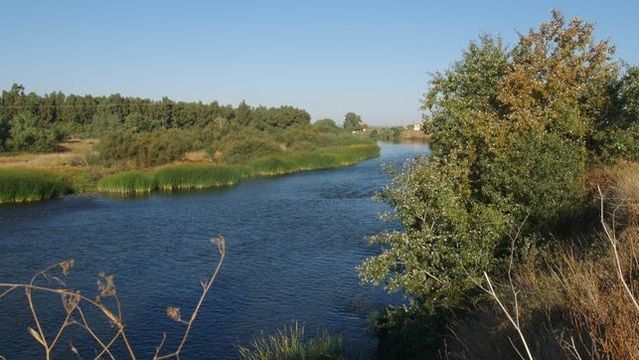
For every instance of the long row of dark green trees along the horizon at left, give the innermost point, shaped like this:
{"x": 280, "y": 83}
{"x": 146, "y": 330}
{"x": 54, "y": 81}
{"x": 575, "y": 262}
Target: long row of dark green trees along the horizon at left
{"x": 30, "y": 122}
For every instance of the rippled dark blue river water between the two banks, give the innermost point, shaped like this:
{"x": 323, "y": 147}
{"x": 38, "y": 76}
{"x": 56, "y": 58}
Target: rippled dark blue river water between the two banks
{"x": 293, "y": 244}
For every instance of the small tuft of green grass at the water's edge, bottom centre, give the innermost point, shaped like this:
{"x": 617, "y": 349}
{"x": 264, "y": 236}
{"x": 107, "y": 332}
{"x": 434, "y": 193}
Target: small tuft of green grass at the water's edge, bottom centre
{"x": 290, "y": 344}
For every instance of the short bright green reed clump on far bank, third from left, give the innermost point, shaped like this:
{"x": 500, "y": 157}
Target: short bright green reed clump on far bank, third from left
{"x": 196, "y": 176}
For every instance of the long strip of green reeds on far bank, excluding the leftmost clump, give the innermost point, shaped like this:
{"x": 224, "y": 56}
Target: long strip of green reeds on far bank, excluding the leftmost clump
{"x": 202, "y": 175}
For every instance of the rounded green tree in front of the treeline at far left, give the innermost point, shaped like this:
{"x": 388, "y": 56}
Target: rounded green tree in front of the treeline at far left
{"x": 29, "y": 133}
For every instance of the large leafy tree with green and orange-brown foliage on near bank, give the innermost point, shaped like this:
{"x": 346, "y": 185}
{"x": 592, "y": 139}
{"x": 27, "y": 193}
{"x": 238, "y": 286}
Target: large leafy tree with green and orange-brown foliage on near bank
{"x": 510, "y": 142}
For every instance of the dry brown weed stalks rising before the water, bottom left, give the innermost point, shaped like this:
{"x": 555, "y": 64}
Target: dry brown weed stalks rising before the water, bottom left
{"x": 75, "y": 305}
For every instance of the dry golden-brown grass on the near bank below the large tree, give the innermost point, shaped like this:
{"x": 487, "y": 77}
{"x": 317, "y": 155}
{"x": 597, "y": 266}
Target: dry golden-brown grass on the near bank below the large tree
{"x": 571, "y": 302}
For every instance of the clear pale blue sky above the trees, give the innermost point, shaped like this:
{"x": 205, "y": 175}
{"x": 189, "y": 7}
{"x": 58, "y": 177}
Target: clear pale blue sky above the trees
{"x": 328, "y": 57}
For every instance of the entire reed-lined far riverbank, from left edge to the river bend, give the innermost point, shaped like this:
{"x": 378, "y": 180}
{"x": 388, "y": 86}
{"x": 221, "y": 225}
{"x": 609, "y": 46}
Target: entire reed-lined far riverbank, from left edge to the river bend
{"x": 28, "y": 179}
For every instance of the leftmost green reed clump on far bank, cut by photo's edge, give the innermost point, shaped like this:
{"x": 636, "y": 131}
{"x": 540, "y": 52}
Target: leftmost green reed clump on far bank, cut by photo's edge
{"x": 27, "y": 185}
